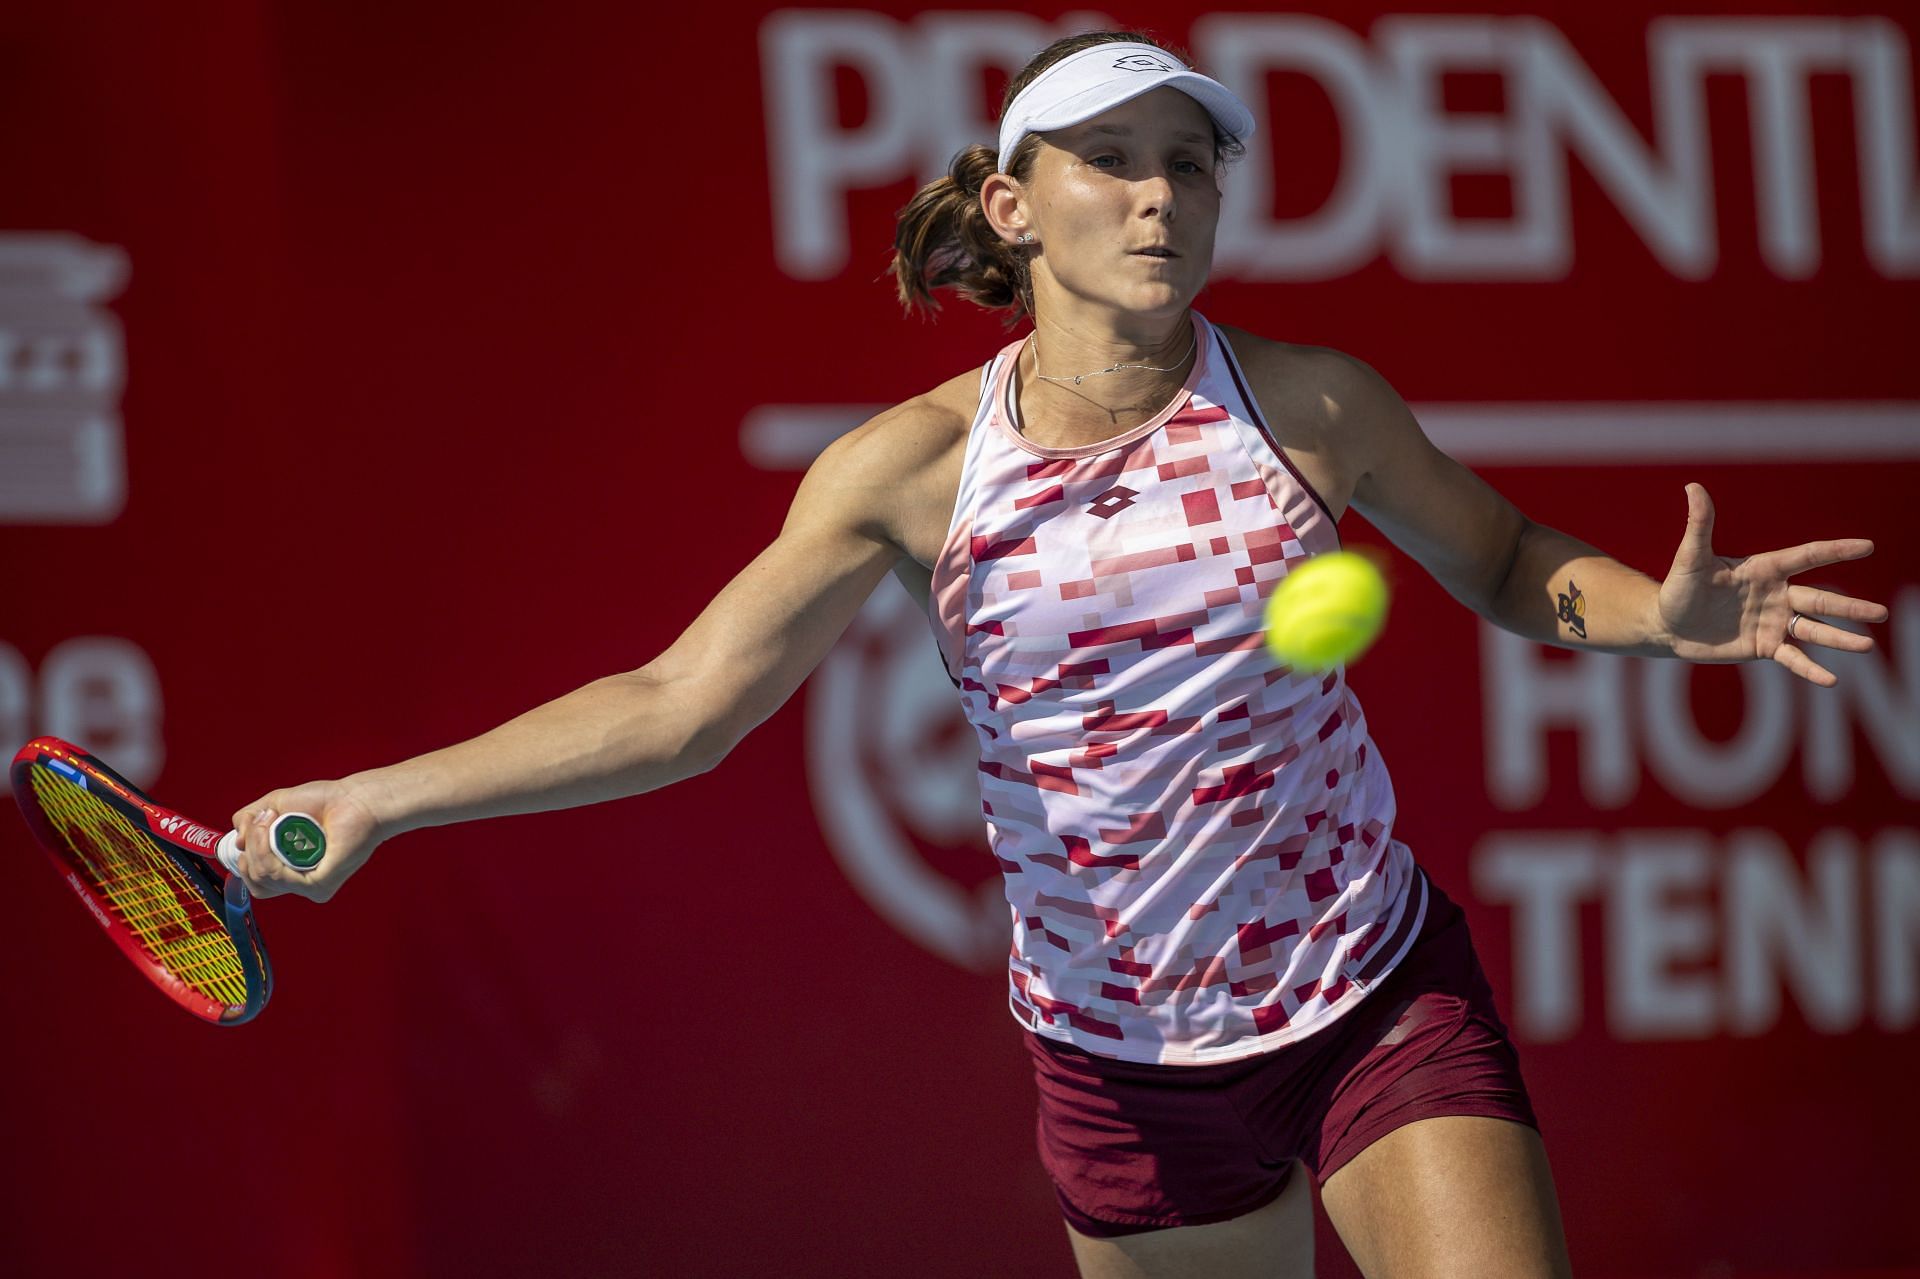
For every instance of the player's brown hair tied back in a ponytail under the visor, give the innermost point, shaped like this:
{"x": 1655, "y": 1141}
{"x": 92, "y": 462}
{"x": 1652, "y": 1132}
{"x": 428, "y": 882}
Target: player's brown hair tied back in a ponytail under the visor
{"x": 944, "y": 239}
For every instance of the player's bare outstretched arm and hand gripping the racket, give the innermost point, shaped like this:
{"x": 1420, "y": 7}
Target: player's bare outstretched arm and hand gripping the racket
{"x": 646, "y": 729}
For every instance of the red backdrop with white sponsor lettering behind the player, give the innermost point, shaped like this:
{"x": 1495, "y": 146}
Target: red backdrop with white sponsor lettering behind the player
{"x": 377, "y": 374}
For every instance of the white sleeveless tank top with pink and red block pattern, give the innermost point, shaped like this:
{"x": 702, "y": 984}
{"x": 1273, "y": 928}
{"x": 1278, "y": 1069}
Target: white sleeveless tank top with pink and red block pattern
{"x": 1197, "y": 840}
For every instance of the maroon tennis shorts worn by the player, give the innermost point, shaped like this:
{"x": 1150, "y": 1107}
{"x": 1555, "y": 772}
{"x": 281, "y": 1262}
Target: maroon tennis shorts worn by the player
{"x": 1136, "y": 1147}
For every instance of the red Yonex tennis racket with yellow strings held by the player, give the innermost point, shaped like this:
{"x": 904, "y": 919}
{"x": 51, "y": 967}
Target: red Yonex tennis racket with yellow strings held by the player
{"x": 162, "y": 886}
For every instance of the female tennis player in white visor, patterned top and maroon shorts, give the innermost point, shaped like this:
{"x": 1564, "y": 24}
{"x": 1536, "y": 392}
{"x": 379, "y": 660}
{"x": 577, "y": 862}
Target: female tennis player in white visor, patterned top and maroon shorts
{"x": 1230, "y": 975}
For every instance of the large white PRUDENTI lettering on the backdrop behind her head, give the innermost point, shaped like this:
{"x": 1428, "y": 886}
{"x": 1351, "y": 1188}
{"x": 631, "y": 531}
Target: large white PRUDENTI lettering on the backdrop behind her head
{"x": 1401, "y": 147}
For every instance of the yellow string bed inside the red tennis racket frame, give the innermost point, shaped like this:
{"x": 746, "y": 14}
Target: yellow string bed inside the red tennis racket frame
{"x": 147, "y": 890}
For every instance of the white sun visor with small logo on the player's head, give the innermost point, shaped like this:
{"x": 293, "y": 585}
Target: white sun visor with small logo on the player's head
{"x": 1101, "y": 78}
